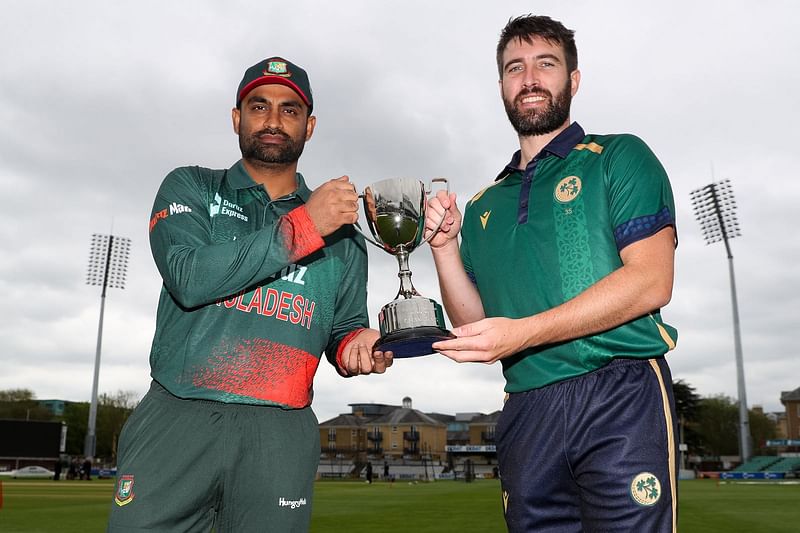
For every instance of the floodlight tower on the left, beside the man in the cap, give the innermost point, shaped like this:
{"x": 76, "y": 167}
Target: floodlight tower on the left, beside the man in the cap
{"x": 108, "y": 265}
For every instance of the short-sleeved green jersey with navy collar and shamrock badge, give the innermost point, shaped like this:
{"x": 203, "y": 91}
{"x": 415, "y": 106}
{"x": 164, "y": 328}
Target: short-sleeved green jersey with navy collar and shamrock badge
{"x": 540, "y": 236}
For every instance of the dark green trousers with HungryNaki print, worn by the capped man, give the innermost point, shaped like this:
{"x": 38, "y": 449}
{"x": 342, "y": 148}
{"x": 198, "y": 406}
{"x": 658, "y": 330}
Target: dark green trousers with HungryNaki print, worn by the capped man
{"x": 193, "y": 465}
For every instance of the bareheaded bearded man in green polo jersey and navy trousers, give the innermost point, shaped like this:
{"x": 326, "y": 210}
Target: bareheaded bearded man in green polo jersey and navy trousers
{"x": 564, "y": 264}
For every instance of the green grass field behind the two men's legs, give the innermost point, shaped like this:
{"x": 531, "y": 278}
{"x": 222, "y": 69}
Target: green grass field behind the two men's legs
{"x": 444, "y": 506}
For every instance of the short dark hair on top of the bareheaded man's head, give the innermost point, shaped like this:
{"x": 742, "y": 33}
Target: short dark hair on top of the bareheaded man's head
{"x": 526, "y": 27}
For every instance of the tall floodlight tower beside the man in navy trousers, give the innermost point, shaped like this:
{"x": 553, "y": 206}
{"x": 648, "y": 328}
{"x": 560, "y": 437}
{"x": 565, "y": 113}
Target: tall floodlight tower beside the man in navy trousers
{"x": 715, "y": 210}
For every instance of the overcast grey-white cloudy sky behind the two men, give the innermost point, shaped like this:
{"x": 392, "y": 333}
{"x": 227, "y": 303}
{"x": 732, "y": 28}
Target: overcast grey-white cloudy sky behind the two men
{"x": 99, "y": 100}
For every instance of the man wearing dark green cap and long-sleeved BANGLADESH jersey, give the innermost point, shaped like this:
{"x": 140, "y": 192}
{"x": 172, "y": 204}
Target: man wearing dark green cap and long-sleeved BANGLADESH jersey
{"x": 261, "y": 276}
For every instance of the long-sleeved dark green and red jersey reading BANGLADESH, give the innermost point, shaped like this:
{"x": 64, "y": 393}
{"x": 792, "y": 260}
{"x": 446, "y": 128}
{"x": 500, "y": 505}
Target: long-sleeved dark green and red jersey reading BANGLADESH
{"x": 252, "y": 293}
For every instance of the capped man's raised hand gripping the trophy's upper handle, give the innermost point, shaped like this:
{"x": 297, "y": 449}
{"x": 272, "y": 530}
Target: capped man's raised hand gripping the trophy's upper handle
{"x": 332, "y": 205}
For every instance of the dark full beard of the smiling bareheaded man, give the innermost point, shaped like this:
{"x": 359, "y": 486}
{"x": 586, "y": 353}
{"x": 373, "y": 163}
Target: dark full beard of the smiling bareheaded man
{"x": 535, "y": 122}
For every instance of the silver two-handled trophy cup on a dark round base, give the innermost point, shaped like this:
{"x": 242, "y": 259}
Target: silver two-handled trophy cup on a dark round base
{"x": 395, "y": 213}
